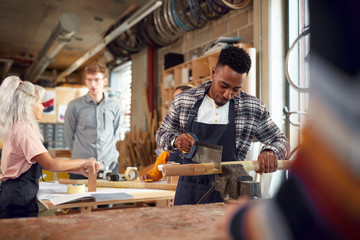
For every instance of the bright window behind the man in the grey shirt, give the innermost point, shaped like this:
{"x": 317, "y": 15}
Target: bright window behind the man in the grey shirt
{"x": 120, "y": 83}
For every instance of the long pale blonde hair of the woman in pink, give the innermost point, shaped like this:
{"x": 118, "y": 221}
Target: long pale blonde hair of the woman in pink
{"x": 16, "y": 100}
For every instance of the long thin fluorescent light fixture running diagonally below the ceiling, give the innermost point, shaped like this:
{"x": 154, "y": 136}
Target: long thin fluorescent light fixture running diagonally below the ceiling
{"x": 135, "y": 18}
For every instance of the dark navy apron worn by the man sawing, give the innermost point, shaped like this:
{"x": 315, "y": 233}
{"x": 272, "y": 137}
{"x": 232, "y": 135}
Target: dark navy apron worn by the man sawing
{"x": 191, "y": 189}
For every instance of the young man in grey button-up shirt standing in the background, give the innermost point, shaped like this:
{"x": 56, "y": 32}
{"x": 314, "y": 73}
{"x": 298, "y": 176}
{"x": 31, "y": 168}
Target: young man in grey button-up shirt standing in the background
{"x": 92, "y": 122}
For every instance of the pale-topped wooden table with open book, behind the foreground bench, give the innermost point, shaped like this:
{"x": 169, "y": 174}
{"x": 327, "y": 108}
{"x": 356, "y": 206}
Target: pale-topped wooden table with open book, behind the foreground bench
{"x": 137, "y": 196}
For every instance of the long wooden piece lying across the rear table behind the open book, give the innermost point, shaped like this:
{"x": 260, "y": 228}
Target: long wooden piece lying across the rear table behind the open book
{"x": 122, "y": 184}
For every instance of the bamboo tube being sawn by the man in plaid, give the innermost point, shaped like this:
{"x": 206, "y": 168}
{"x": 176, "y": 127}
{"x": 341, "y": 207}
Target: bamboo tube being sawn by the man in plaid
{"x": 209, "y": 168}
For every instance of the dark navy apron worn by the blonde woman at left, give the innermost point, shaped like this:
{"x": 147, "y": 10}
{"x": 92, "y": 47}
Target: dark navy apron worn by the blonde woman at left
{"x": 18, "y": 196}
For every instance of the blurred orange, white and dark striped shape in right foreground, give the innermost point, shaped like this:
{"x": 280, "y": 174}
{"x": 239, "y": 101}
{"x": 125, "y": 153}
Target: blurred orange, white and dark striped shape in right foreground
{"x": 321, "y": 198}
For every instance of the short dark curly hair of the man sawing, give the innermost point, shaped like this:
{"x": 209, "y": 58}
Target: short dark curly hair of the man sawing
{"x": 236, "y": 58}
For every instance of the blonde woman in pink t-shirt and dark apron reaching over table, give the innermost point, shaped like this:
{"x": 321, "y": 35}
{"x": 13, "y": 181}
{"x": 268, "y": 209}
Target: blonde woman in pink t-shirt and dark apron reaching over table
{"x": 23, "y": 153}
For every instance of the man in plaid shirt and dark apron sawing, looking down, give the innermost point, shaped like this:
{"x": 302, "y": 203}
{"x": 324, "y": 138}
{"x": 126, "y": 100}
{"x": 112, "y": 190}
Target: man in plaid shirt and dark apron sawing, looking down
{"x": 218, "y": 112}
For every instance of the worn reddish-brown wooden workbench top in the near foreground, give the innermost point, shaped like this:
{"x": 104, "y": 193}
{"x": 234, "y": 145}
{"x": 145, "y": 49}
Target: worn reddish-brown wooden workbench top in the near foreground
{"x": 177, "y": 222}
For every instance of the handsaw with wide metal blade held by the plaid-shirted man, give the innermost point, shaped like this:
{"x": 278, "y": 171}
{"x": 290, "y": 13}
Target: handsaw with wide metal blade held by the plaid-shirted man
{"x": 204, "y": 152}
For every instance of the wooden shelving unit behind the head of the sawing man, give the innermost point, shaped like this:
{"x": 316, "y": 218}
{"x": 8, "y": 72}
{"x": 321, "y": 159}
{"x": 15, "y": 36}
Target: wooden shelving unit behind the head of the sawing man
{"x": 198, "y": 71}
